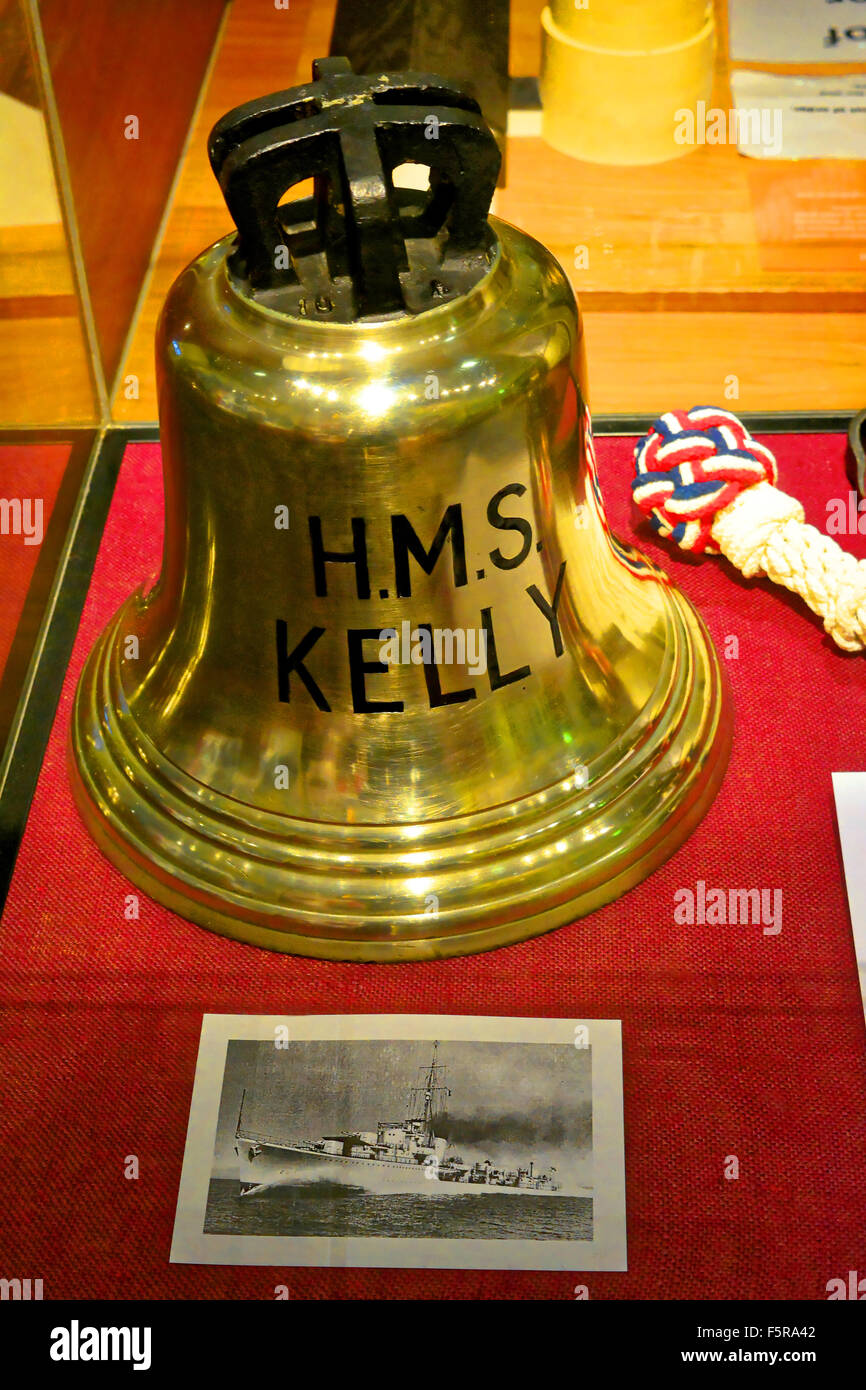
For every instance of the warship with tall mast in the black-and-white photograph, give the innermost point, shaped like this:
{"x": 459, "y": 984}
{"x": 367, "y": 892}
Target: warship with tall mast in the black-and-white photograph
{"x": 398, "y": 1157}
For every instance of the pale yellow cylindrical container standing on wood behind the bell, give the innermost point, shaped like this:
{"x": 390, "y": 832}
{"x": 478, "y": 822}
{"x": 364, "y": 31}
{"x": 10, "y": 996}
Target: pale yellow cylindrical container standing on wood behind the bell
{"x": 615, "y": 84}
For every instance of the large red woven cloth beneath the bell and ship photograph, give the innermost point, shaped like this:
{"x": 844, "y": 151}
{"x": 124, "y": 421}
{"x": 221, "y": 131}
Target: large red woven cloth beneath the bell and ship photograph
{"x": 735, "y": 1042}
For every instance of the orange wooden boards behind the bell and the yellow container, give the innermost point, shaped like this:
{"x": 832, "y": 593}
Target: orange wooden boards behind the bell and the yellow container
{"x": 678, "y": 295}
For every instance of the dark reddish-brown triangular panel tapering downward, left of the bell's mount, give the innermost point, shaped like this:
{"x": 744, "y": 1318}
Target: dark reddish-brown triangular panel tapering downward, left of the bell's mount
{"x": 113, "y": 60}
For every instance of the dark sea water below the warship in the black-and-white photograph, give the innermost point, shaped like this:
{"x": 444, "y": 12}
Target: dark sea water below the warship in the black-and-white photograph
{"x": 322, "y": 1210}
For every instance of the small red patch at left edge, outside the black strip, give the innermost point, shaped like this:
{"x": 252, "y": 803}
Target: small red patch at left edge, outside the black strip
{"x": 27, "y": 471}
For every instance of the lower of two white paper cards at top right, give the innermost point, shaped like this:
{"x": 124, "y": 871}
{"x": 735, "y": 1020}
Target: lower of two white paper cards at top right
{"x": 800, "y": 119}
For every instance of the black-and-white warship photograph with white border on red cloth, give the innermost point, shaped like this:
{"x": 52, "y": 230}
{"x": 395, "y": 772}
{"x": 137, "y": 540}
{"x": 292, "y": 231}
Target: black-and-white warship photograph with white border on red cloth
{"x": 398, "y": 1140}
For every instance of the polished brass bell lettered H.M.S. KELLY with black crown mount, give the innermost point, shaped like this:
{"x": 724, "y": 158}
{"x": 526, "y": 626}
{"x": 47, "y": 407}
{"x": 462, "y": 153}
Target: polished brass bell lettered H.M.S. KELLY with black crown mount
{"x": 398, "y": 692}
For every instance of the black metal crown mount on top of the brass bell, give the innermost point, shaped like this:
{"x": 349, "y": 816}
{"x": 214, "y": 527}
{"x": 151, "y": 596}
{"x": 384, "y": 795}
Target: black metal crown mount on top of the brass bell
{"x": 361, "y": 248}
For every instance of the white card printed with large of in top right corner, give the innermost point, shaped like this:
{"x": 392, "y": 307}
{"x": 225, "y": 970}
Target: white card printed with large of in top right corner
{"x": 799, "y": 31}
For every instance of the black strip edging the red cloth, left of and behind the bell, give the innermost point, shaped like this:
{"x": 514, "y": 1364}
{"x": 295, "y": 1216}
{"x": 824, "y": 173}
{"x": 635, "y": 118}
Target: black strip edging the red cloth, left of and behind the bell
{"x": 38, "y": 704}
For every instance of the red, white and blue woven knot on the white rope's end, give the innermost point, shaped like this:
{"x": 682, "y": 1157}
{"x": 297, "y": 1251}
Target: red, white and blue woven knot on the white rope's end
{"x": 692, "y": 466}
